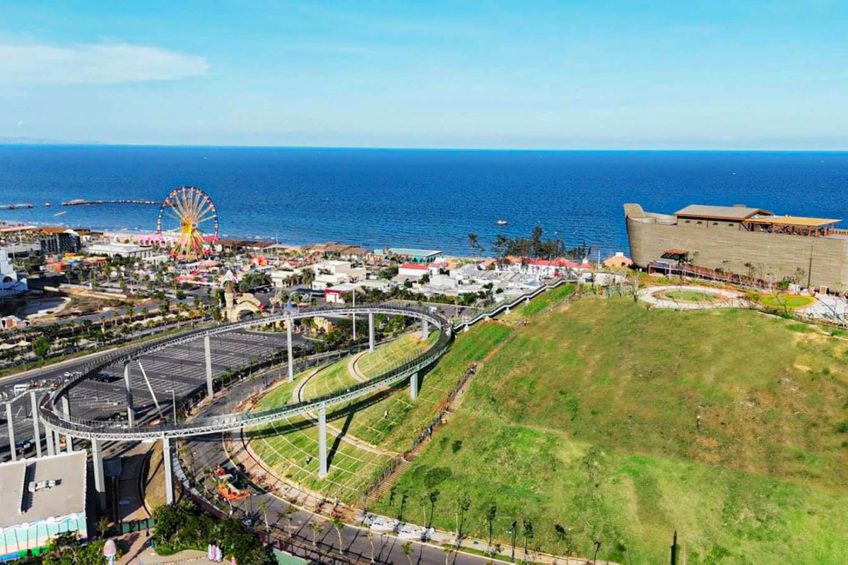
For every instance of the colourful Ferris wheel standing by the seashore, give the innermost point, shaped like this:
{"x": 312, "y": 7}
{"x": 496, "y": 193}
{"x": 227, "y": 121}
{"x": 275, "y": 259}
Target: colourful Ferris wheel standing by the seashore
{"x": 189, "y": 216}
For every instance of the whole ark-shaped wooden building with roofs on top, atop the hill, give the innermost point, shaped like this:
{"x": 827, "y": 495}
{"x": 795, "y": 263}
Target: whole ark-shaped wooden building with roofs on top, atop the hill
{"x": 746, "y": 241}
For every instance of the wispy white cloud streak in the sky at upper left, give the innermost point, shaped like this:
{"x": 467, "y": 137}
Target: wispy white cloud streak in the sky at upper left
{"x": 34, "y": 63}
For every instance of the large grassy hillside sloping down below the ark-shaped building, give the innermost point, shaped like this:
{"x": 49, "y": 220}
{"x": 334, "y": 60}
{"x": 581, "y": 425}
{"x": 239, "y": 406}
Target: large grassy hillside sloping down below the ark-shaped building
{"x": 621, "y": 424}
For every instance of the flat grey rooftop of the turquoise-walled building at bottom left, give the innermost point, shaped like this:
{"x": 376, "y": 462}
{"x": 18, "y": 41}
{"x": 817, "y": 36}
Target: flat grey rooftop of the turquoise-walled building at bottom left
{"x": 67, "y": 497}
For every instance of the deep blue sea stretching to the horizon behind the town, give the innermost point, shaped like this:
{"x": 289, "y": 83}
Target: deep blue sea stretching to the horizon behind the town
{"x": 414, "y": 197}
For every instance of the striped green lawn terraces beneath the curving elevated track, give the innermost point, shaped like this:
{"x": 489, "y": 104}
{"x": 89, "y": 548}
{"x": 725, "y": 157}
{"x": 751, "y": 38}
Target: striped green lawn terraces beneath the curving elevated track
{"x": 392, "y": 423}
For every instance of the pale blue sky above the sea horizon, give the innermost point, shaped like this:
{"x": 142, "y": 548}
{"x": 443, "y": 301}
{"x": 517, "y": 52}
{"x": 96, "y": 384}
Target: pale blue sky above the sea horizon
{"x": 593, "y": 74}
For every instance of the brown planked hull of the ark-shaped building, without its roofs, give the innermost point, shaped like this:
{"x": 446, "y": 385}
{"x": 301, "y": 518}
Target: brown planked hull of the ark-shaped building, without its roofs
{"x": 728, "y": 246}
